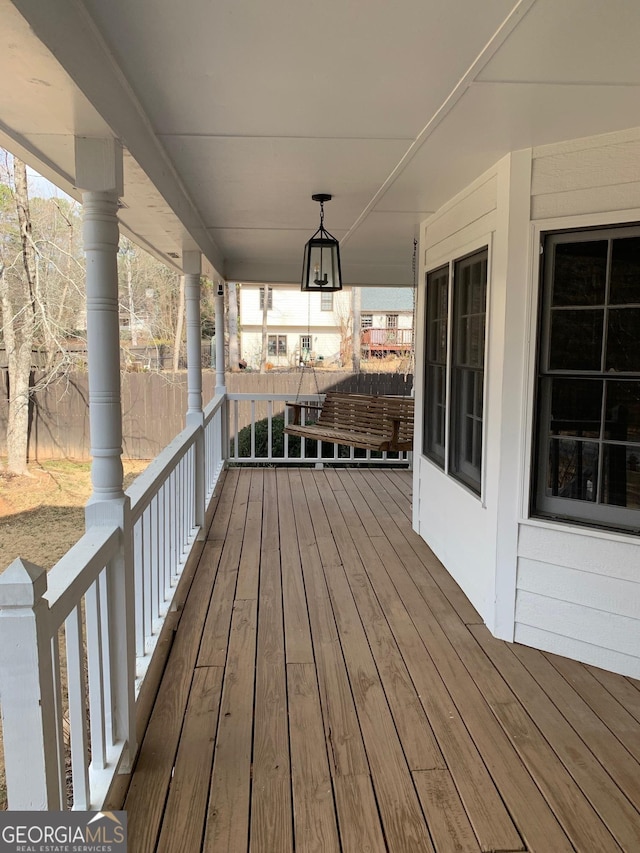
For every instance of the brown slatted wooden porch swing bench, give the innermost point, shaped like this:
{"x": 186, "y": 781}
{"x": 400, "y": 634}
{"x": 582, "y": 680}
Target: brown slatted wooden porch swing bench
{"x": 369, "y": 421}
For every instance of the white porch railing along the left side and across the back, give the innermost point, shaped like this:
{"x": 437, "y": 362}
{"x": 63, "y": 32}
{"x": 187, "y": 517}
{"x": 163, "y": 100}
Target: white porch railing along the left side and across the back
{"x": 68, "y": 709}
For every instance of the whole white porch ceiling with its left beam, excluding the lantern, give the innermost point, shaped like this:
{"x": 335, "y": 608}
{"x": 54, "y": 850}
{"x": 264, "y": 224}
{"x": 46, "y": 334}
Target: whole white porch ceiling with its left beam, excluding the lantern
{"x": 232, "y": 115}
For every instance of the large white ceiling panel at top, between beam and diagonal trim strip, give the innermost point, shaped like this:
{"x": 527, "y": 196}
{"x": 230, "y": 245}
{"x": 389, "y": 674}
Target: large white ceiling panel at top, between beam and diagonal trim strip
{"x": 294, "y": 68}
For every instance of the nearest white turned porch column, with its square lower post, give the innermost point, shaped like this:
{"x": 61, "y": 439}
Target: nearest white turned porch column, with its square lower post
{"x": 99, "y": 174}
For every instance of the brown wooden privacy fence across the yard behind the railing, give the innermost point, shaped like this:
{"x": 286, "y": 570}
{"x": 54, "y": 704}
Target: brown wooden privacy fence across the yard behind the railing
{"x": 154, "y": 406}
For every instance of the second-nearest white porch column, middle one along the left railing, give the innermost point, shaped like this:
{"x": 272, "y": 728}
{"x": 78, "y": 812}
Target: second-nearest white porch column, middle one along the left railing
{"x": 195, "y": 417}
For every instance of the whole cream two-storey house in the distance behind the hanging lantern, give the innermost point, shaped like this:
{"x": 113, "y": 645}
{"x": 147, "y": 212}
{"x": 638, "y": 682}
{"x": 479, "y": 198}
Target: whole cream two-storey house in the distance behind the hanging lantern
{"x": 300, "y": 326}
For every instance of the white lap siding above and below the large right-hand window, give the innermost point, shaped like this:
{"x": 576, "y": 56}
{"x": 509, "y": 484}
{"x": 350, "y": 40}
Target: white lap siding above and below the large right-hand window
{"x": 578, "y": 592}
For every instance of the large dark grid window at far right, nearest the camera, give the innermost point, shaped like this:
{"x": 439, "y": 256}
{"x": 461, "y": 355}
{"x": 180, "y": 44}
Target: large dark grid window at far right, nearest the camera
{"x": 587, "y": 443}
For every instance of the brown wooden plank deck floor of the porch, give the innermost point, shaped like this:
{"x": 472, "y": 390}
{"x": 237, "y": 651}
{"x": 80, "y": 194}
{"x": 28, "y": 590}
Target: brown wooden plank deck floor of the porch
{"x": 330, "y": 688}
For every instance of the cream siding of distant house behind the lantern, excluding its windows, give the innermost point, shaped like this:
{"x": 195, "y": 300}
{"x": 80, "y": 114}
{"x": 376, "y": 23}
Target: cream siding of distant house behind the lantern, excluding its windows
{"x": 293, "y": 314}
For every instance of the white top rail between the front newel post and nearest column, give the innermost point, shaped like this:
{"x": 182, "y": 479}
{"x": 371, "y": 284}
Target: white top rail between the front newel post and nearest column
{"x": 74, "y": 573}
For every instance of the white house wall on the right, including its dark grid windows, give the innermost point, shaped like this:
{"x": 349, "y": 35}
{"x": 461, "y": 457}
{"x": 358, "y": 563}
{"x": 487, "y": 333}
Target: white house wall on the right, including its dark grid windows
{"x": 527, "y": 474}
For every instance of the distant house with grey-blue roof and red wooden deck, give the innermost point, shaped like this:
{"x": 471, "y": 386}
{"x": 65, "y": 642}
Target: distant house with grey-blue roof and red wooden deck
{"x": 386, "y": 320}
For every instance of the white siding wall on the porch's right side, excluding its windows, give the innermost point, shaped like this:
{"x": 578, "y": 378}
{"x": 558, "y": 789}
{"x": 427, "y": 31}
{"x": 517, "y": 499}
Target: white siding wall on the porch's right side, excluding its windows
{"x": 559, "y": 587}
